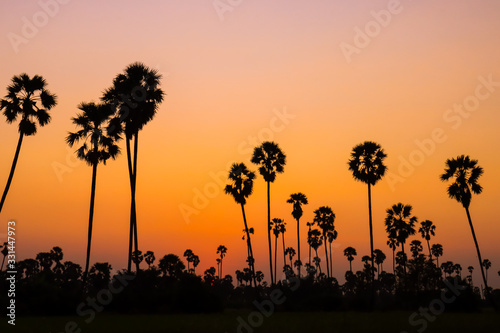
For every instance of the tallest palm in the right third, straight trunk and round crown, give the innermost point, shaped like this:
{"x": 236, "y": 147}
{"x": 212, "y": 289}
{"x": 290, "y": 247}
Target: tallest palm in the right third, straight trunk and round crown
{"x": 367, "y": 166}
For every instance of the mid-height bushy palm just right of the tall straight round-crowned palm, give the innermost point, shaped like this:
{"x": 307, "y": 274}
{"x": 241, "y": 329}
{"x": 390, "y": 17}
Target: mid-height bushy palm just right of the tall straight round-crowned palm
{"x": 400, "y": 224}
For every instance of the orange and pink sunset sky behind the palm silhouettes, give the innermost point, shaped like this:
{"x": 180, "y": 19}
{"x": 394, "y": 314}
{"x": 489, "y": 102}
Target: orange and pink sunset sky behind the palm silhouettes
{"x": 299, "y": 73}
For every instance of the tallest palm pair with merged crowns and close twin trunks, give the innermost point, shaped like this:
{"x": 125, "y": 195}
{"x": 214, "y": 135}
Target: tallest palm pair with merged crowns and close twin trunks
{"x": 136, "y": 96}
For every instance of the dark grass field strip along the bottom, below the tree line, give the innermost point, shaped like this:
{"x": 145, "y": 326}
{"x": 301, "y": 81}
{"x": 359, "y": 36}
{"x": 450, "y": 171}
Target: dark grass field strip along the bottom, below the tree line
{"x": 228, "y": 321}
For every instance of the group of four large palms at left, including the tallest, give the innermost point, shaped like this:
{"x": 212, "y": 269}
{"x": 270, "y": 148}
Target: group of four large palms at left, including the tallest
{"x": 124, "y": 109}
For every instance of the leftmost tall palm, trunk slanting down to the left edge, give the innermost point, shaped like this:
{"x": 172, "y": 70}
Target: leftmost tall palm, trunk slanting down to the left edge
{"x": 29, "y": 99}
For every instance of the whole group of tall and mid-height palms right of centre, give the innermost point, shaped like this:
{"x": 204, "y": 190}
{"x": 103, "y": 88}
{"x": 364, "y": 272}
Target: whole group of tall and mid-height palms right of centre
{"x": 367, "y": 165}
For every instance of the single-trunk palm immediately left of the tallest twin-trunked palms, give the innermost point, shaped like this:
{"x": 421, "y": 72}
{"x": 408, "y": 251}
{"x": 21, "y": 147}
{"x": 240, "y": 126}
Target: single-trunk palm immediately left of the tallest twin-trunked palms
{"x": 96, "y": 147}
